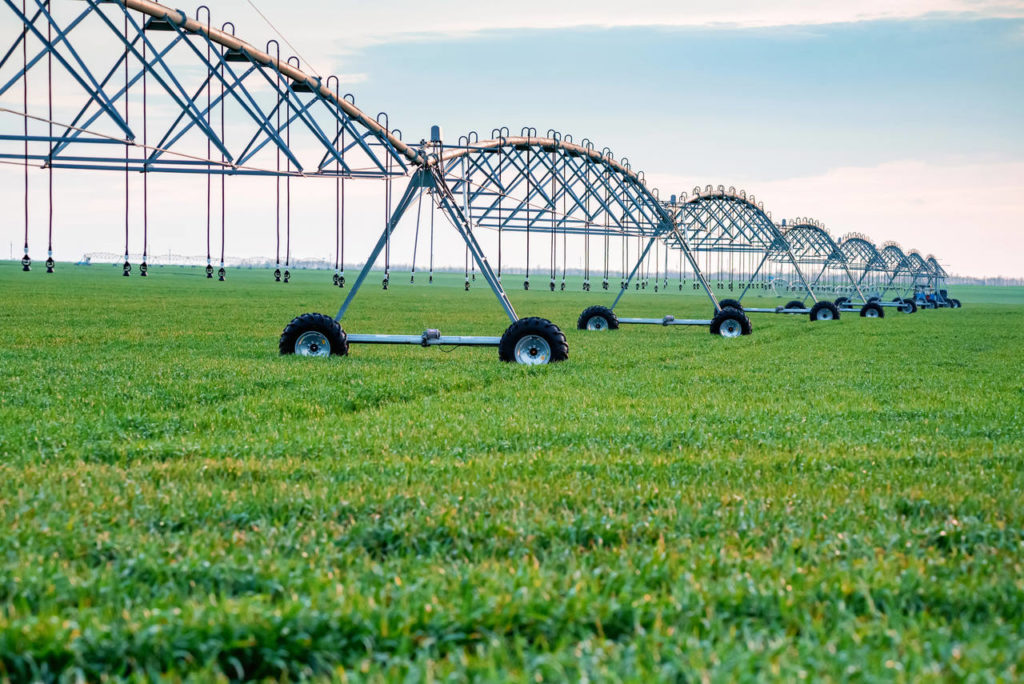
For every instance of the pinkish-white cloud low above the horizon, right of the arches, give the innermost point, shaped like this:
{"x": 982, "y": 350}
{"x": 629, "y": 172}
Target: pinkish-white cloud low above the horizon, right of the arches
{"x": 969, "y": 215}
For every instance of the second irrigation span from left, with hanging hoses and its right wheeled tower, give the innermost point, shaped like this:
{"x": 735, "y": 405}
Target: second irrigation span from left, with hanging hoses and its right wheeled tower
{"x": 553, "y": 189}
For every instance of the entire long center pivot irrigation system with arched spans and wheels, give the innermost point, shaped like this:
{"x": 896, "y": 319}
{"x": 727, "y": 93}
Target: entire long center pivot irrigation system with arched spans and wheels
{"x": 133, "y": 88}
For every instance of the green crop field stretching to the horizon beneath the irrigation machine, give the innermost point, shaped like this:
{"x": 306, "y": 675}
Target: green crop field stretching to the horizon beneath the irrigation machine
{"x": 837, "y": 500}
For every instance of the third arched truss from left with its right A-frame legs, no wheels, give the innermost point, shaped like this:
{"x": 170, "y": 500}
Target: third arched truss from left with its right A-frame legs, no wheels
{"x": 722, "y": 221}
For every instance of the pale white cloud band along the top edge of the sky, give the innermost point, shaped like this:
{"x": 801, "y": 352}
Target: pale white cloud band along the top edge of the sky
{"x": 346, "y": 27}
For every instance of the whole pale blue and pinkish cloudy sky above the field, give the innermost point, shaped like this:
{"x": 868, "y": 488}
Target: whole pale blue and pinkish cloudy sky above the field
{"x": 901, "y": 120}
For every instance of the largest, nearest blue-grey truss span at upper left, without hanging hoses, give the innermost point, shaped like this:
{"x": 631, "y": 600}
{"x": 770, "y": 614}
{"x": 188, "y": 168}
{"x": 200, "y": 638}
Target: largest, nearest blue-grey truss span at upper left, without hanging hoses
{"x": 277, "y": 111}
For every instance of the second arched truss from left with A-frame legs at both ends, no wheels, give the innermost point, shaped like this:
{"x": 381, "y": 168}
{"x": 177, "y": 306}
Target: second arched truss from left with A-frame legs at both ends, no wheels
{"x": 531, "y": 184}
